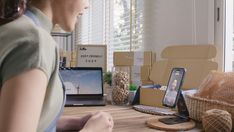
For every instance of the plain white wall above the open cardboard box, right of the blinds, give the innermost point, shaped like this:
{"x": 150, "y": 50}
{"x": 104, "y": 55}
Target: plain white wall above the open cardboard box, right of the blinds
{"x": 171, "y": 22}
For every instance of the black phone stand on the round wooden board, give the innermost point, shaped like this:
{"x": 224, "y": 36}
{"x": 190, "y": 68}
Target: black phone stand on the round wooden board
{"x": 182, "y": 115}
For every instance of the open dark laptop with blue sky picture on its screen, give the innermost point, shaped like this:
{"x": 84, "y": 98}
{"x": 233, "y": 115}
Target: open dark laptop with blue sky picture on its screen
{"x": 83, "y": 86}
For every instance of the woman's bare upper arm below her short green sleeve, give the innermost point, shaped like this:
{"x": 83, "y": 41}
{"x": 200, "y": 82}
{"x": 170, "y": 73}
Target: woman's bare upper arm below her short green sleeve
{"x": 21, "y": 101}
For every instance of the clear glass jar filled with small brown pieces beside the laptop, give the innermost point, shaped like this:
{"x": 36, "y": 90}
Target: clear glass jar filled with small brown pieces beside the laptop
{"x": 120, "y": 84}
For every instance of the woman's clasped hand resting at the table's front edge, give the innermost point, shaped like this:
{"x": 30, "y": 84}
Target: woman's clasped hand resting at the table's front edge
{"x": 99, "y": 122}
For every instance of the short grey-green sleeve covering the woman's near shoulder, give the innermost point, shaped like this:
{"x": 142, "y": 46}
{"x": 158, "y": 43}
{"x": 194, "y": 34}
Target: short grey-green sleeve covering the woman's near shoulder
{"x": 25, "y": 44}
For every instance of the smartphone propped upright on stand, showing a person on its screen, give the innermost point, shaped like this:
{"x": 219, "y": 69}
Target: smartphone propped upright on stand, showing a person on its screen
{"x": 173, "y": 87}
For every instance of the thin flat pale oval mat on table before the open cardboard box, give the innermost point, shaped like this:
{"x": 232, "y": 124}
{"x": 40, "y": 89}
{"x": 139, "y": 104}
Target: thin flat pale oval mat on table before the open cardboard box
{"x": 153, "y": 110}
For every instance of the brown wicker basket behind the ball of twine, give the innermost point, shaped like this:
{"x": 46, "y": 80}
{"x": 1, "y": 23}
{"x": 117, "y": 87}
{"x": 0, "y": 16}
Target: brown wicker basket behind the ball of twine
{"x": 197, "y": 106}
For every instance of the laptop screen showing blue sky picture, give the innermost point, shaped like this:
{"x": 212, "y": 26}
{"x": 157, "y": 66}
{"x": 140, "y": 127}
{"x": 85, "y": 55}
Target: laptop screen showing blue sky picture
{"x": 82, "y": 81}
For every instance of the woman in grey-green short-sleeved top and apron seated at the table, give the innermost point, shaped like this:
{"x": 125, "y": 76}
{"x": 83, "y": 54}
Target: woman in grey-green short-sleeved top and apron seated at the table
{"x": 31, "y": 93}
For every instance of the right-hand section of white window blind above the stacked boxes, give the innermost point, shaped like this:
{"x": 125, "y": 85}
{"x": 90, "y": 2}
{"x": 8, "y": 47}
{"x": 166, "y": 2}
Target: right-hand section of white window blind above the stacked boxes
{"x": 127, "y": 25}
